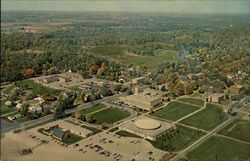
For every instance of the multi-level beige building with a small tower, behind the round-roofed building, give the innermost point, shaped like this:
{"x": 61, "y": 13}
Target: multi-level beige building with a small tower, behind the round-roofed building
{"x": 146, "y": 100}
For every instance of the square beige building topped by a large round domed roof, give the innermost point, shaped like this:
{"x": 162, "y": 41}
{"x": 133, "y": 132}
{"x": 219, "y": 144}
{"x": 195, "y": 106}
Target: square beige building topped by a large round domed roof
{"x": 147, "y": 127}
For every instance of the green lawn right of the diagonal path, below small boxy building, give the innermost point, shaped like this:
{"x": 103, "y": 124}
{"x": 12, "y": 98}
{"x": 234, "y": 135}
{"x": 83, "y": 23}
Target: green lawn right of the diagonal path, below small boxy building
{"x": 208, "y": 118}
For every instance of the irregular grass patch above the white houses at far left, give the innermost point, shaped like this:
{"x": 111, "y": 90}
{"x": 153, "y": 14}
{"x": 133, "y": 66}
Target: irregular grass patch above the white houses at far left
{"x": 37, "y": 88}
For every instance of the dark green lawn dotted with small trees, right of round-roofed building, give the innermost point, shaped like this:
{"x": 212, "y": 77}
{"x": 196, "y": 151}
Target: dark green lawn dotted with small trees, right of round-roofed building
{"x": 177, "y": 139}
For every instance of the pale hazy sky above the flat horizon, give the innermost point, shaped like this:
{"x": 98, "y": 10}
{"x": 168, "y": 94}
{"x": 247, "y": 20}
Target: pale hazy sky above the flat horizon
{"x": 173, "y": 6}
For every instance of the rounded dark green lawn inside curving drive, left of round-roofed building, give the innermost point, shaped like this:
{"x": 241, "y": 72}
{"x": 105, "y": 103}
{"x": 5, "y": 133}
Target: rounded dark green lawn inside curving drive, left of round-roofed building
{"x": 109, "y": 115}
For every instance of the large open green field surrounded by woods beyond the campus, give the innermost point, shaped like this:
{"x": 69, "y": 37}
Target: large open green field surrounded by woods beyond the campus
{"x": 120, "y": 54}
